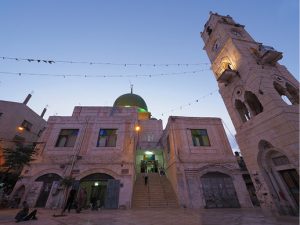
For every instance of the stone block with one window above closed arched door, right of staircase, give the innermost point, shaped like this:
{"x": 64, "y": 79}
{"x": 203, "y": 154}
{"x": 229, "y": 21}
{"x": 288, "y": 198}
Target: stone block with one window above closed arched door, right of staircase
{"x": 187, "y": 162}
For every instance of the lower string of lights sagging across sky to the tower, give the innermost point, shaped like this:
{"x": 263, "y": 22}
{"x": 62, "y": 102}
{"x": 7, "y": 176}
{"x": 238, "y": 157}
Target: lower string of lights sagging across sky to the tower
{"x": 104, "y": 76}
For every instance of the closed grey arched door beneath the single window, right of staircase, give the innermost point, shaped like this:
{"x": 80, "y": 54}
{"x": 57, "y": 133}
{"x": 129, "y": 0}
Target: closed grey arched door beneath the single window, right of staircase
{"x": 219, "y": 191}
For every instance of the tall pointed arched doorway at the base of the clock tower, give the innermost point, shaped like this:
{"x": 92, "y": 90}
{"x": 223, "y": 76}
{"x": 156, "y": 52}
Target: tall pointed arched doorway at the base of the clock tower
{"x": 281, "y": 176}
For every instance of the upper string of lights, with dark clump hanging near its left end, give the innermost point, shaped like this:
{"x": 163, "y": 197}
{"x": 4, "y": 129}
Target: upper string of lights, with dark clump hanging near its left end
{"x": 51, "y": 61}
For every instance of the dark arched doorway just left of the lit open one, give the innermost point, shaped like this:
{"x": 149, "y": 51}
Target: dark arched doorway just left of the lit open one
{"x": 47, "y": 180}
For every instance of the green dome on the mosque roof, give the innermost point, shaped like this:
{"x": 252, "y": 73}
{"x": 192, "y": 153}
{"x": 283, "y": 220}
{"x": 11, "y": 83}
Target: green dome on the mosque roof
{"x": 131, "y": 99}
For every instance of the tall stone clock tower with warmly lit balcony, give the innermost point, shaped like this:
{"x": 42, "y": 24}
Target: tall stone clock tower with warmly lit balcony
{"x": 262, "y": 99}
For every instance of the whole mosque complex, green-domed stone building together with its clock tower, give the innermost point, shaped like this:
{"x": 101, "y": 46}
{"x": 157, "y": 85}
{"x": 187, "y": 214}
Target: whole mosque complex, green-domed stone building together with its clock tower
{"x": 190, "y": 164}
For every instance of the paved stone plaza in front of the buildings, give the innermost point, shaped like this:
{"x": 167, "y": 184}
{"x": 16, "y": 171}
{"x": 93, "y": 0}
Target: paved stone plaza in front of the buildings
{"x": 153, "y": 217}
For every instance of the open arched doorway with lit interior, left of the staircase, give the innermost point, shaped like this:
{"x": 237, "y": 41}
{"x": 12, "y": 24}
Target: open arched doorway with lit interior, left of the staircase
{"x": 102, "y": 190}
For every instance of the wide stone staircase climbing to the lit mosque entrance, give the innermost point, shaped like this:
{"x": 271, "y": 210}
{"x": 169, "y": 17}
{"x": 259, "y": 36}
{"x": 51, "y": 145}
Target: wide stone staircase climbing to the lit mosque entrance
{"x": 158, "y": 193}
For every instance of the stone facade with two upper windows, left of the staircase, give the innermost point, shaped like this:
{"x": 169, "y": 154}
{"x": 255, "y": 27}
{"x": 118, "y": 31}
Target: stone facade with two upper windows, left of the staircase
{"x": 83, "y": 157}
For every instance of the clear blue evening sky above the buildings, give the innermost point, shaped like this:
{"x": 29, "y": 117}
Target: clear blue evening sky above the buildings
{"x": 124, "y": 32}
